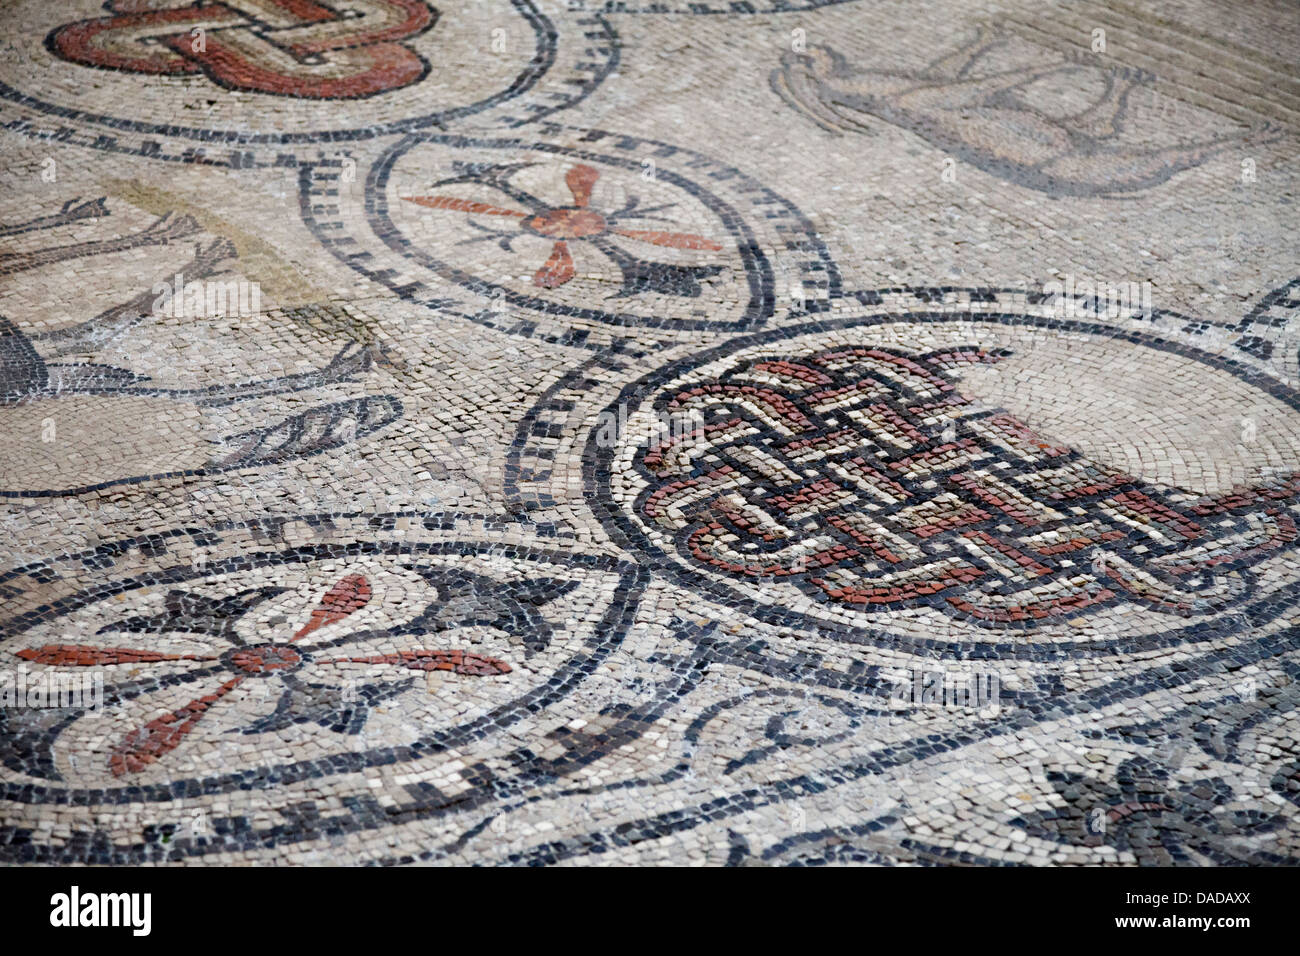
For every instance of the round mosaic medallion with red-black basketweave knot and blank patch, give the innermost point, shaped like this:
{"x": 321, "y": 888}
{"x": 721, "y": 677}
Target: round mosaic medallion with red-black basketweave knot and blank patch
{"x": 959, "y": 479}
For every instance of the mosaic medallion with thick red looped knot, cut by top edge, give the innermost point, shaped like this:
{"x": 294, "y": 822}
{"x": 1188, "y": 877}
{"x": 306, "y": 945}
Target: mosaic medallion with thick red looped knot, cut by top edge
{"x": 239, "y": 76}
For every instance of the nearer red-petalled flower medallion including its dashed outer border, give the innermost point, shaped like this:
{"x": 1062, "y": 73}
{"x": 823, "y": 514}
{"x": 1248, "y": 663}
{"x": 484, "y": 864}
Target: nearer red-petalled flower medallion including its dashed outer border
{"x": 296, "y": 657}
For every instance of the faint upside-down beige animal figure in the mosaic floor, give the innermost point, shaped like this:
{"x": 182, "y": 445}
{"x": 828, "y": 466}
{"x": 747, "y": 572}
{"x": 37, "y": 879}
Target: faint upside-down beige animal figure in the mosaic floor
{"x": 1011, "y": 122}
